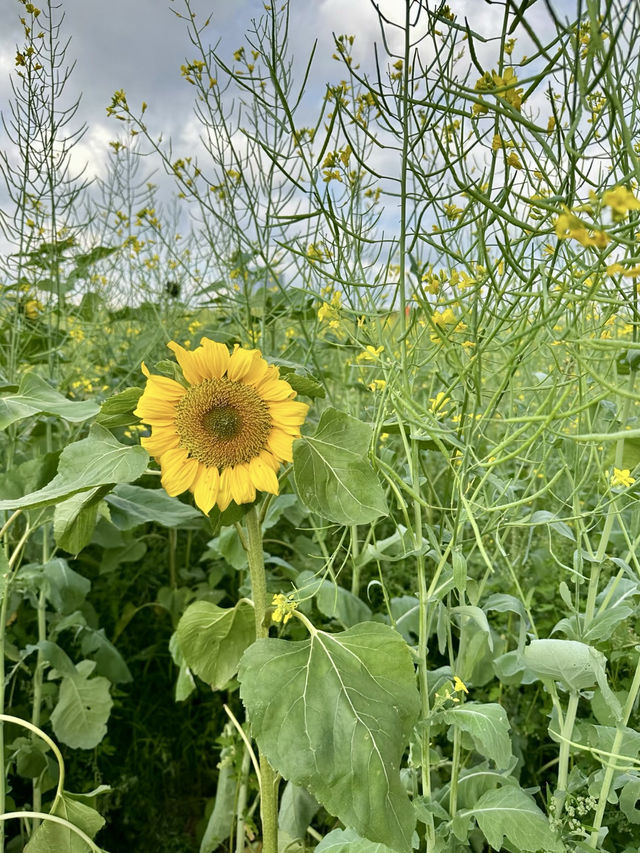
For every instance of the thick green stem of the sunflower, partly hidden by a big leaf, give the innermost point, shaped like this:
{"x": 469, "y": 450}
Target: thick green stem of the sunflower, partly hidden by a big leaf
{"x": 268, "y": 780}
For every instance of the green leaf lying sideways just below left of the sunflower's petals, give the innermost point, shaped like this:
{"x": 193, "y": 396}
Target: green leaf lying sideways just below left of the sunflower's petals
{"x": 131, "y": 506}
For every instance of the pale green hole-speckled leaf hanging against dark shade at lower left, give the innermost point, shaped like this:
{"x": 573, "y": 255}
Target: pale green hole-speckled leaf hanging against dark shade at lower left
{"x": 80, "y": 716}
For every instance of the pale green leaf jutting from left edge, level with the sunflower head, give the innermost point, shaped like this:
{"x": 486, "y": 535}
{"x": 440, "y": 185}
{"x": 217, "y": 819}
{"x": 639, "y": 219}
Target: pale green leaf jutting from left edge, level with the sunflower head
{"x": 37, "y": 397}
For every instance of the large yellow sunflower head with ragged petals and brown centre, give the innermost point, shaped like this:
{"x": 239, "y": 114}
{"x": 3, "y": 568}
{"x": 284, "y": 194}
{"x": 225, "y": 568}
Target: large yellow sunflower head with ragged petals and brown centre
{"x": 224, "y": 434}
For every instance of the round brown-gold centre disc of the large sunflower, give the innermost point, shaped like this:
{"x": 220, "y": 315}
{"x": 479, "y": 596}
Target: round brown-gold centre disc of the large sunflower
{"x": 223, "y": 423}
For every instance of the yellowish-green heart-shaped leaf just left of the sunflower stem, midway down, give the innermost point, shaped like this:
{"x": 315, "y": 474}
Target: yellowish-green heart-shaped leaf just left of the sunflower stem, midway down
{"x": 212, "y": 639}
